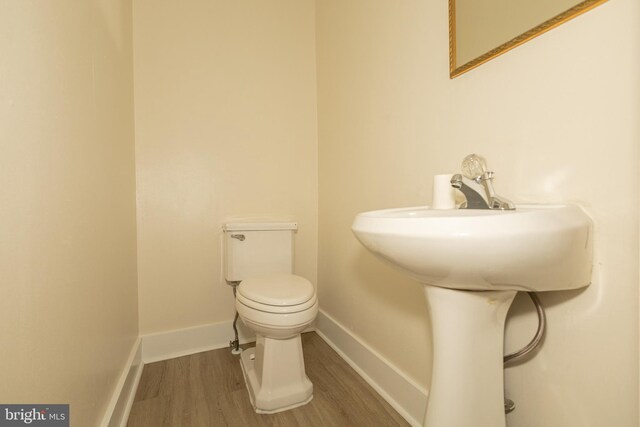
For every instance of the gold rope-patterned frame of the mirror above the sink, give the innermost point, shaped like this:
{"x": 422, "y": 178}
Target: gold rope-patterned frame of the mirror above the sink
{"x": 557, "y": 20}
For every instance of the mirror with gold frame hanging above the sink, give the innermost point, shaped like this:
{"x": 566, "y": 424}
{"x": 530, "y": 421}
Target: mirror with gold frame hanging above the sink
{"x": 480, "y": 30}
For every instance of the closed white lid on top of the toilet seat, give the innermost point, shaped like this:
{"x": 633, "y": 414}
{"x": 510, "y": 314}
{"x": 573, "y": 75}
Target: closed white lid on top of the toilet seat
{"x": 277, "y": 290}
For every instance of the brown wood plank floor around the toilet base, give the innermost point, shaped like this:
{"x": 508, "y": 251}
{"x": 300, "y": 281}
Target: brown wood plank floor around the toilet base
{"x": 207, "y": 389}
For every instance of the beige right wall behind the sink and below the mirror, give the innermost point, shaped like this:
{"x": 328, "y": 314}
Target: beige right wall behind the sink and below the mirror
{"x": 557, "y": 120}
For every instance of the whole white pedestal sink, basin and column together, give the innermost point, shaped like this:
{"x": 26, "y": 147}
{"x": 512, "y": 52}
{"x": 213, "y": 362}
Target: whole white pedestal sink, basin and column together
{"x": 472, "y": 263}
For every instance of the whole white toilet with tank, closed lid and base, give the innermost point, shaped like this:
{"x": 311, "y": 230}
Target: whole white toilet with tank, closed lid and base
{"x": 277, "y": 305}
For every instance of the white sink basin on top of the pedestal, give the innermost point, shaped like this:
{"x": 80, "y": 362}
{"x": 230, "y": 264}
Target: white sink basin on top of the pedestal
{"x": 532, "y": 248}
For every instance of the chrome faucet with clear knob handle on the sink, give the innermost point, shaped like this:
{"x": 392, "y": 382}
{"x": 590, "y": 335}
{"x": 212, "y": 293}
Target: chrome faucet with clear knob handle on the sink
{"x": 477, "y": 186}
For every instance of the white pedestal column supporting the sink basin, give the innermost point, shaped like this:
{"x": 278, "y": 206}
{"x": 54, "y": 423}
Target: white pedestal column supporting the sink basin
{"x": 467, "y": 383}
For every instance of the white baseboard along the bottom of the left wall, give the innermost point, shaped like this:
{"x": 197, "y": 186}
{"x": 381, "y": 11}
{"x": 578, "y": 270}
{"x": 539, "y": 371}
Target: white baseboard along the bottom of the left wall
{"x": 117, "y": 412}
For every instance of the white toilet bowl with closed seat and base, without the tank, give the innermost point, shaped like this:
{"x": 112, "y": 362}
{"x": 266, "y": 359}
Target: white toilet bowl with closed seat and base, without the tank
{"x": 277, "y": 308}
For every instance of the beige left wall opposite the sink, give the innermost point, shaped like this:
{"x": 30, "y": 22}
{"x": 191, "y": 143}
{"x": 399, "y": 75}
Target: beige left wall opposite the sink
{"x": 68, "y": 310}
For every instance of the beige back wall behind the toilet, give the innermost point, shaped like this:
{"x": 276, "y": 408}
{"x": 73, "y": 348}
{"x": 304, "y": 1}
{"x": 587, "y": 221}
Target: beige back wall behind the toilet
{"x": 225, "y": 129}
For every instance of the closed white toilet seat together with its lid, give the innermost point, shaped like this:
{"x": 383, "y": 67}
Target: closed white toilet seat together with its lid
{"x": 277, "y": 293}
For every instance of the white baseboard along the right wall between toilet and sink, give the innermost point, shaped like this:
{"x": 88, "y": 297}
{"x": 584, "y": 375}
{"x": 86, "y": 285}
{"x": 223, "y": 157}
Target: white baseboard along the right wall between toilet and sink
{"x": 402, "y": 393}
